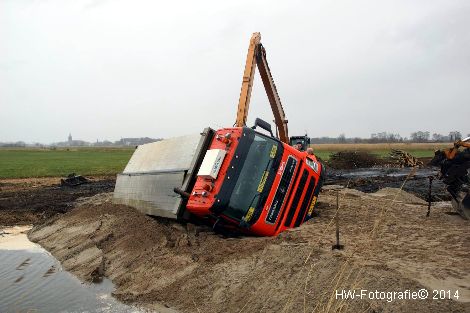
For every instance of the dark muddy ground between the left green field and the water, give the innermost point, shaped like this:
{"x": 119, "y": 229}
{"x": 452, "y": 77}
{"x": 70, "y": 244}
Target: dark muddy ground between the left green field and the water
{"x": 32, "y": 200}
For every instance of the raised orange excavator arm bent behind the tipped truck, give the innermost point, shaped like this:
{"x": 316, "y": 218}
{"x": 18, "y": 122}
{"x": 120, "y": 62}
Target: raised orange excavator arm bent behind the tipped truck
{"x": 257, "y": 57}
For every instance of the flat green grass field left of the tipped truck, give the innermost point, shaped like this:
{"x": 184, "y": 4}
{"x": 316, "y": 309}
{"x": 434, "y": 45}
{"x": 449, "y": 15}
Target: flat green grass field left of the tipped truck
{"x": 21, "y": 163}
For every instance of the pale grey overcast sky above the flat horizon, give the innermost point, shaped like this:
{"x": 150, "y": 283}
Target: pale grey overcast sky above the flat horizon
{"x": 110, "y": 69}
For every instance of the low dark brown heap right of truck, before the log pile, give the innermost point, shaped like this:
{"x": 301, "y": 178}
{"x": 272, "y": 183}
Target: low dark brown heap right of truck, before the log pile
{"x": 353, "y": 159}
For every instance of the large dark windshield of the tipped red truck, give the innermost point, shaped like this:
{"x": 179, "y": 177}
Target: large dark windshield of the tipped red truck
{"x": 255, "y": 179}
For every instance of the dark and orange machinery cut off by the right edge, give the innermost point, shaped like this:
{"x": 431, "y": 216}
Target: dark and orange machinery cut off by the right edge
{"x": 455, "y": 173}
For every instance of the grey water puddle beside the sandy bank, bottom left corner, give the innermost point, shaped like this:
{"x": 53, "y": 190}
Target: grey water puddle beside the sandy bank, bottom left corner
{"x": 32, "y": 280}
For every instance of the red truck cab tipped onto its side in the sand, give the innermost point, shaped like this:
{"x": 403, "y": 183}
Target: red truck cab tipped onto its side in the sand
{"x": 255, "y": 183}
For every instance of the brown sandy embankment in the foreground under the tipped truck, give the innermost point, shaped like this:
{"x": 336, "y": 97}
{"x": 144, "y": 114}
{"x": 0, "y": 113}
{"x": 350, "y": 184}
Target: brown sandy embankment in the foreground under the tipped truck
{"x": 389, "y": 246}
